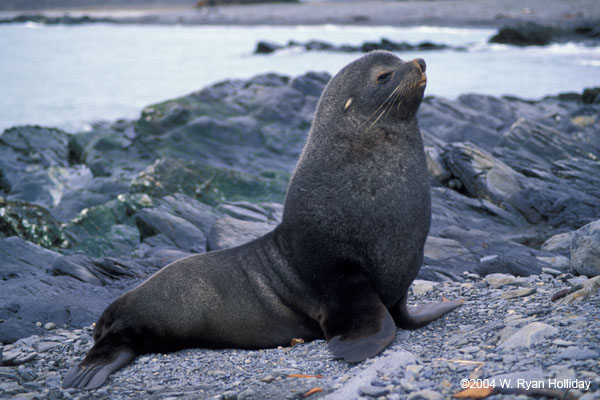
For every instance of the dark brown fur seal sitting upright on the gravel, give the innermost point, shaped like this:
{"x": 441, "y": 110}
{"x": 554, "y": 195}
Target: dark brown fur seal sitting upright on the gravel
{"x": 356, "y": 216}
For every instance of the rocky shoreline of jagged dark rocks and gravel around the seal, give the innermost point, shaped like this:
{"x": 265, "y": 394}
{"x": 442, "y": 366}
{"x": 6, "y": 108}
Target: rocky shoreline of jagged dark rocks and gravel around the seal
{"x": 515, "y": 191}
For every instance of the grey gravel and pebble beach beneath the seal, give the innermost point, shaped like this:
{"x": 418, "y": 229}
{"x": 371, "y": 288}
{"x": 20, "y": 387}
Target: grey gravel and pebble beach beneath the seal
{"x": 429, "y": 363}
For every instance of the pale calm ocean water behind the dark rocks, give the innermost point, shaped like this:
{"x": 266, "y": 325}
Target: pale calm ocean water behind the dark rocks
{"x": 70, "y": 76}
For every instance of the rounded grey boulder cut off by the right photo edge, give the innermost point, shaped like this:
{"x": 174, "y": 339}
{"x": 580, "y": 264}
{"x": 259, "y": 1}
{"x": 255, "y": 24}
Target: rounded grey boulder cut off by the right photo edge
{"x": 585, "y": 250}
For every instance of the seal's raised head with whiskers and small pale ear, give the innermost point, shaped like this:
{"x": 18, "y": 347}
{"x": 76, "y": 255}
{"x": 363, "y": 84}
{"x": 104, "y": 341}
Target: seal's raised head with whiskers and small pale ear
{"x": 376, "y": 88}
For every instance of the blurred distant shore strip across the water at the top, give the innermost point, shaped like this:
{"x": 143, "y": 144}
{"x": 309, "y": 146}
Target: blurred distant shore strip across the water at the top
{"x": 481, "y": 13}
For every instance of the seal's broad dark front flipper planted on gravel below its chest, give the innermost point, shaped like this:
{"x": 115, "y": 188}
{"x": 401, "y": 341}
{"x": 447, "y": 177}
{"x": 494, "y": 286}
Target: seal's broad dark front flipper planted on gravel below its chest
{"x": 355, "y": 322}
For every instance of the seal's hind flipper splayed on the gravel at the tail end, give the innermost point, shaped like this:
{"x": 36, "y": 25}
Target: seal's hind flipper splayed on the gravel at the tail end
{"x": 92, "y": 373}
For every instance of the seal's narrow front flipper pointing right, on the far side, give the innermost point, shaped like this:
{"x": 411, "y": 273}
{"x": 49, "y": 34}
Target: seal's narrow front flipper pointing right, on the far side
{"x": 419, "y": 316}
